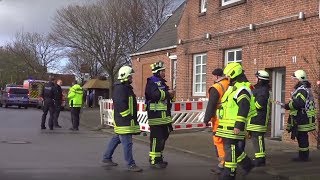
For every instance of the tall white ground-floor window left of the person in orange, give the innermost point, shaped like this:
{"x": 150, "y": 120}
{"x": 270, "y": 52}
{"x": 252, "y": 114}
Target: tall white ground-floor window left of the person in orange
{"x": 199, "y": 74}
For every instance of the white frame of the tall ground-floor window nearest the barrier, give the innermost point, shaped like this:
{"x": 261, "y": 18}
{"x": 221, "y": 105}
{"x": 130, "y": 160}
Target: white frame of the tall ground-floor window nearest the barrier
{"x": 202, "y": 92}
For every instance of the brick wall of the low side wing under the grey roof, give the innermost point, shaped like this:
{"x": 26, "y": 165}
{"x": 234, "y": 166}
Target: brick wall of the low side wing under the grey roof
{"x": 141, "y": 65}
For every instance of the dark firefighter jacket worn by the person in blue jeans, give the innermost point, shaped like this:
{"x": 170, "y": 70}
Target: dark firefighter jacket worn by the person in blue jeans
{"x": 125, "y": 109}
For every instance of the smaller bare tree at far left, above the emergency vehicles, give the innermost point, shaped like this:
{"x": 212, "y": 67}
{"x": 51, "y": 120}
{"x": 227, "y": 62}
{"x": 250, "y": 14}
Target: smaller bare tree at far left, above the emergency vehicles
{"x": 36, "y": 50}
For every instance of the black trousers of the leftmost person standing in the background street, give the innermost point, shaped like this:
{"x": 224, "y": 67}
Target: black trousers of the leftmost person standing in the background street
{"x": 48, "y": 106}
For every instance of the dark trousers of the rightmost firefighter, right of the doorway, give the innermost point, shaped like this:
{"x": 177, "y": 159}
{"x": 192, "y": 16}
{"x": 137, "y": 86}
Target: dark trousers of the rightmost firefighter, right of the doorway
{"x": 303, "y": 142}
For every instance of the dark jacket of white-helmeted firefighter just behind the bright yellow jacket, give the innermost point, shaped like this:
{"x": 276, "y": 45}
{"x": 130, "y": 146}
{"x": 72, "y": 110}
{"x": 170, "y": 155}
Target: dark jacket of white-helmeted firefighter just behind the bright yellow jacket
{"x": 261, "y": 96}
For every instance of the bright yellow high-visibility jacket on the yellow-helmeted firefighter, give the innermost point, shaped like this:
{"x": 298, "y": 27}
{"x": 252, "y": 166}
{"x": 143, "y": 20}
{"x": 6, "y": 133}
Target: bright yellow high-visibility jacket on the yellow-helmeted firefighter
{"x": 237, "y": 107}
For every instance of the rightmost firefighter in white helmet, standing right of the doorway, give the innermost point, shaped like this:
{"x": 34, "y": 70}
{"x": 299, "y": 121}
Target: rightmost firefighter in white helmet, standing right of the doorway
{"x": 302, "y": 113}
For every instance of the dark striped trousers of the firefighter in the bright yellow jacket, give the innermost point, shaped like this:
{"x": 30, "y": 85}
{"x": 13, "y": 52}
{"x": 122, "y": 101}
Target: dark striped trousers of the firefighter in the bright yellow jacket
{"x": 234, "y": 156}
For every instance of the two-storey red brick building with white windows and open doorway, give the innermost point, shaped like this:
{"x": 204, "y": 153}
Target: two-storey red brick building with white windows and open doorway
{"x": 280, "y": 36}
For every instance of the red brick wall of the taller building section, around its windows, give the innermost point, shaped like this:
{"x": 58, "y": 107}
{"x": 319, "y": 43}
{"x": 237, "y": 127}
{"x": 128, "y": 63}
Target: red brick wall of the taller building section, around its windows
{"x": 279, "y": 36}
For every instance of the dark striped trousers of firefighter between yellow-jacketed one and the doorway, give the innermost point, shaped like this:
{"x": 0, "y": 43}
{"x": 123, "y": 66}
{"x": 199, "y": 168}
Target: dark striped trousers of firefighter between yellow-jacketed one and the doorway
{"x": 258, "y": 147}
